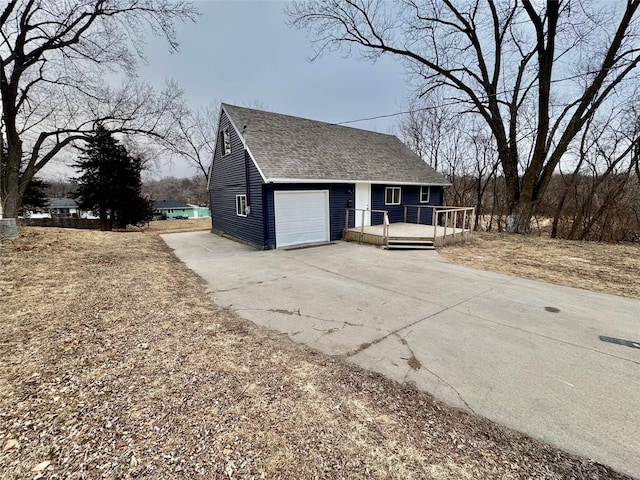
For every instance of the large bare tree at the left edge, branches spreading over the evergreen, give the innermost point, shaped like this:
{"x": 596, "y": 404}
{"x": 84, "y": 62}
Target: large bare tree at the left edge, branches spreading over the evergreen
{"x": 54, "y": 58}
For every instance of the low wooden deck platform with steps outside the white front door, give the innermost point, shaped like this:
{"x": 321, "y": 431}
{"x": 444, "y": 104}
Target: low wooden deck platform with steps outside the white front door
{"x": 438, "y": 235}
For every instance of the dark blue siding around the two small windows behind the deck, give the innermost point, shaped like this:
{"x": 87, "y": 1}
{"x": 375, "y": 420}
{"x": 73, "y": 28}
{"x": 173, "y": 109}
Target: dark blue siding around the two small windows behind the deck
{"x": 410, "y": 195}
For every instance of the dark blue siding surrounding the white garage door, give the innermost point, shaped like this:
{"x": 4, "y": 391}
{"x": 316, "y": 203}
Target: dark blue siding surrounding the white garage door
{"x": 339, "y": 197}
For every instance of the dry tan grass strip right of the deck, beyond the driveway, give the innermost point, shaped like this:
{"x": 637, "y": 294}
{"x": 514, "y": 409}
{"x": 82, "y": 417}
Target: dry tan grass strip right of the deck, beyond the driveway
{"x": 600, "y": 267}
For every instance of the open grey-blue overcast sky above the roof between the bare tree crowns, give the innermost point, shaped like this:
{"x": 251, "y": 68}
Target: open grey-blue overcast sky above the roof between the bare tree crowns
{"x": 243, "y": 52}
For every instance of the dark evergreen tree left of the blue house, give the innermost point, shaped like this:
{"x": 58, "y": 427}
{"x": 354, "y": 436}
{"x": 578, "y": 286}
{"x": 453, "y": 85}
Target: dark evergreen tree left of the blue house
{"x": 110, "y": 184}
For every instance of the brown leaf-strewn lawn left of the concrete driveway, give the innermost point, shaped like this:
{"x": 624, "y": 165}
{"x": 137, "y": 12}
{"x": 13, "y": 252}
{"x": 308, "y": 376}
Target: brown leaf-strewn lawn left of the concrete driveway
{"x": 116, "y": 364}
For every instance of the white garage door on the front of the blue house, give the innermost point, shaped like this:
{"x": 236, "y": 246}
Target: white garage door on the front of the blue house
{"x": 301, "y": 217}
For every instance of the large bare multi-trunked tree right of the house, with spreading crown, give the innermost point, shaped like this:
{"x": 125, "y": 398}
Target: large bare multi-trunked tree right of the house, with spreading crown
{"x": 535, "y": 73}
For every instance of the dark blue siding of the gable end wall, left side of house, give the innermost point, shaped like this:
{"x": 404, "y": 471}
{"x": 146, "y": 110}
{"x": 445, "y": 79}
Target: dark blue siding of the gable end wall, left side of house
{"x": 231, "y": 175}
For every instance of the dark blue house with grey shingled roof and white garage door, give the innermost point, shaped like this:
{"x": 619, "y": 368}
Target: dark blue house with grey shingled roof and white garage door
{"x": 278, "y": 180}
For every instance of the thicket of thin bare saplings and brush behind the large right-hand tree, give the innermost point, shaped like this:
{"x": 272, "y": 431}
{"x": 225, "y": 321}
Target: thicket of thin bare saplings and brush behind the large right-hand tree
{"x": 593, "y": 195}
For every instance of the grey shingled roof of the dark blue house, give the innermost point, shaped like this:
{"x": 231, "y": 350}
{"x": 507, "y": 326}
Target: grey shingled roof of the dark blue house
{"x": 292, "y": 149}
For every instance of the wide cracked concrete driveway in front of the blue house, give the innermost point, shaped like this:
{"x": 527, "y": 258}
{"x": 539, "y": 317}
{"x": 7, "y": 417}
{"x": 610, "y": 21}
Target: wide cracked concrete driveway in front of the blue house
{"x": 522, "y": 353}
